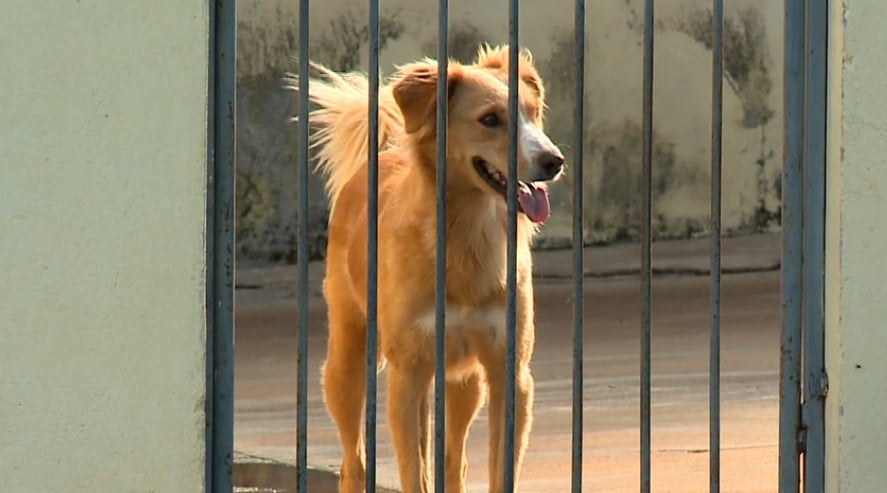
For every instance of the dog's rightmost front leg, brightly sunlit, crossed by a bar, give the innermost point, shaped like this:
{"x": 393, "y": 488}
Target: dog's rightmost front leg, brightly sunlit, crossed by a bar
{"x": 523, "y": 403}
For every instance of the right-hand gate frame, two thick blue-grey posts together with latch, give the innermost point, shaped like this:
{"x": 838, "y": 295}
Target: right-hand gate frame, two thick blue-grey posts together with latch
{"x": 803, "y": 378}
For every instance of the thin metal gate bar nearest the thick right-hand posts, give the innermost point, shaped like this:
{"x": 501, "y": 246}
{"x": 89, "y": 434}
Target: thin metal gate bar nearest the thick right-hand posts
{"x": 715, "y": 350}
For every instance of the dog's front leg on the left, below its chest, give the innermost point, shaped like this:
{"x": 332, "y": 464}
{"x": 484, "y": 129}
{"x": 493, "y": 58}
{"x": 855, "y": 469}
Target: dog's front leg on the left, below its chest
{"x": 407, "y": 387}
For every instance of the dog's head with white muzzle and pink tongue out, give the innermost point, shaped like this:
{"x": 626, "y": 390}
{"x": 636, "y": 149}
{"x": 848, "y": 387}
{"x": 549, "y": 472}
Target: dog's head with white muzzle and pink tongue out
{"x": 478, "y": 121}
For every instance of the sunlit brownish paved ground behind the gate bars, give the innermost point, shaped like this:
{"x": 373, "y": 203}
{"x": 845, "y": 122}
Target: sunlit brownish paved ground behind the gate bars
{"x": 266, "y": 319}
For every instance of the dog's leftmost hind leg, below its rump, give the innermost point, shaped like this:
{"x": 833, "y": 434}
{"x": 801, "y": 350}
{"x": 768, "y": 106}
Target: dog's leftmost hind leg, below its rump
{"x": 344, "y": 374}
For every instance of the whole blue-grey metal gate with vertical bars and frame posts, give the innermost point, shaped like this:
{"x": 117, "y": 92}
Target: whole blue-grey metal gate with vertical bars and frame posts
{"x": 803, "y": 382}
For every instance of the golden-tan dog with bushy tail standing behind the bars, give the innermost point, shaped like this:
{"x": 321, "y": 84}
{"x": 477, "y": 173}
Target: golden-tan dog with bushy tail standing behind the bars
{"x": 477, "y": 178}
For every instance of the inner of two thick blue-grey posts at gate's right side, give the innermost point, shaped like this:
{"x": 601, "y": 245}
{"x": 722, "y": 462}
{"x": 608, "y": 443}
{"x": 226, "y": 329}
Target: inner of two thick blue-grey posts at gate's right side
{"x": 792, "y": 241}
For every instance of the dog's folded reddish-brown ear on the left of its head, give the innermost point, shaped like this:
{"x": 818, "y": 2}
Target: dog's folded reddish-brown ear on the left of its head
{"x": 416, "y": 93}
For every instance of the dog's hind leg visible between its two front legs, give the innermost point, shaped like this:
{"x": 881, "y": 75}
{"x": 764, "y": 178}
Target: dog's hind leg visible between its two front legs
{"x": 464, "y": 398}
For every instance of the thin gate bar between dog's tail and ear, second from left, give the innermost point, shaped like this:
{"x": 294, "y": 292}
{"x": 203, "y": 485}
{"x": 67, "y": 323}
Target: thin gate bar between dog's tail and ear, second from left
{"x": 372, "y": 246}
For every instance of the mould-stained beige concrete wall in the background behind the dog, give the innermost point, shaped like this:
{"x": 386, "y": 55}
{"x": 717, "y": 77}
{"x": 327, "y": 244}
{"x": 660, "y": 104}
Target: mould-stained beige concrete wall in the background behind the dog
{"x": 267, "y": 144}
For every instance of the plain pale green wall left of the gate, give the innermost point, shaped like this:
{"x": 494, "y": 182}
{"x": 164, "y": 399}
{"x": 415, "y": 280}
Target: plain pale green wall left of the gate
{"x": 102, "y": 224}
